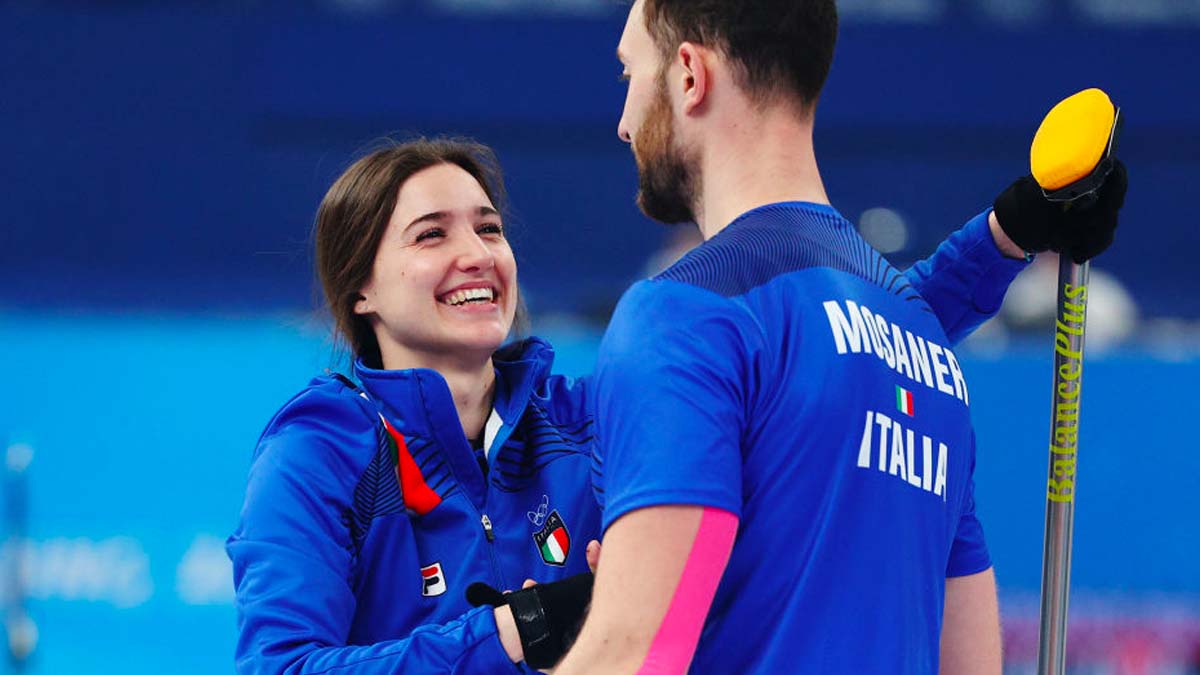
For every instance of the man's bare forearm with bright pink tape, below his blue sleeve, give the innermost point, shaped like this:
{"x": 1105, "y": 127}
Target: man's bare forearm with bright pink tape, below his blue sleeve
{"x": 674, "y": 583}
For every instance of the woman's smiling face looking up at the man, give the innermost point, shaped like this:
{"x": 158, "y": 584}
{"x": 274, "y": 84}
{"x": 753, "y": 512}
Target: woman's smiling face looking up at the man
{"x": 445, "y": 285}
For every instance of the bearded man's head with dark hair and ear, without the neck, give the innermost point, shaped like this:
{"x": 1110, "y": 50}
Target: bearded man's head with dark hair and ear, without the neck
{"x": 676, "y": 52}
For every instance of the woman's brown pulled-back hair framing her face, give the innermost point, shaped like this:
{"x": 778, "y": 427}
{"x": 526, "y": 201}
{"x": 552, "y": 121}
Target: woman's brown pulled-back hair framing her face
{"x": 353, "y": 217}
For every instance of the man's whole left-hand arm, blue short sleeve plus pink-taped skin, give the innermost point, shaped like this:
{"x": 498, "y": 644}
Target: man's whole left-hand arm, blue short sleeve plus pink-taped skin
{"x": 671, "y": 399}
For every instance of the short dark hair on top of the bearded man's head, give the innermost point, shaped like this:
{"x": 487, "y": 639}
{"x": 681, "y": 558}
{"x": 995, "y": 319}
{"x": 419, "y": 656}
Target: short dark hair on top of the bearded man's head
{"x": 782, "y": 47}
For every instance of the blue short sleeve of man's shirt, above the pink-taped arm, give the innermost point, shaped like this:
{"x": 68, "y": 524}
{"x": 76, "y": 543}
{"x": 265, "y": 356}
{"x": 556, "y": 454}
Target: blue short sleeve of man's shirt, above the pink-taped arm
{"x": 670, "y": 401}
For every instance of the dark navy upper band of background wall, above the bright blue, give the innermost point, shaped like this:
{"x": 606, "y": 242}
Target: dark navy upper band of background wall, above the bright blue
{"x": 175, "y": 158}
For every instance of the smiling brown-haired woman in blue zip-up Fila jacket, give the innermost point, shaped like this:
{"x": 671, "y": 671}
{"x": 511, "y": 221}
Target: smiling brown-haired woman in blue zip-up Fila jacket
{"x": 371, "y": 507}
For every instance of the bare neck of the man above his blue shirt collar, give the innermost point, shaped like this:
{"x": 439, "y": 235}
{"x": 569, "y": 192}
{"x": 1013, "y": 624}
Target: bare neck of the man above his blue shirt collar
{"x": 764, "y": 160}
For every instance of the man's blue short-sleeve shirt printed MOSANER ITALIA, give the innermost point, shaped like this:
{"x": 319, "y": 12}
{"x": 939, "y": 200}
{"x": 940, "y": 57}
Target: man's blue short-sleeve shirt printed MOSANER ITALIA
{"x": 784, "y": 372}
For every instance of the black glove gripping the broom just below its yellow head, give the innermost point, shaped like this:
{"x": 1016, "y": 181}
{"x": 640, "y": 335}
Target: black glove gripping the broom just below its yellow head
{"x": 1083, "y": 231}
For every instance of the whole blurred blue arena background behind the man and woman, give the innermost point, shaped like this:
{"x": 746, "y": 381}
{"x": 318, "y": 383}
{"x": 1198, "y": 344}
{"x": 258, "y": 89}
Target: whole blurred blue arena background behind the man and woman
{"x": 164, "y": 162}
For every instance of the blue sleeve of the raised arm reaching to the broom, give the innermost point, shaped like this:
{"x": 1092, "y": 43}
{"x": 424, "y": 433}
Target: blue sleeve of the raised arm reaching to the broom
{"x": 967, "y": 278}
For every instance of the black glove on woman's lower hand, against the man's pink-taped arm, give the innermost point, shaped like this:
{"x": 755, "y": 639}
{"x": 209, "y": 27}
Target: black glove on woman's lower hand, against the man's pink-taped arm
{"x": 548, "y": 616}
